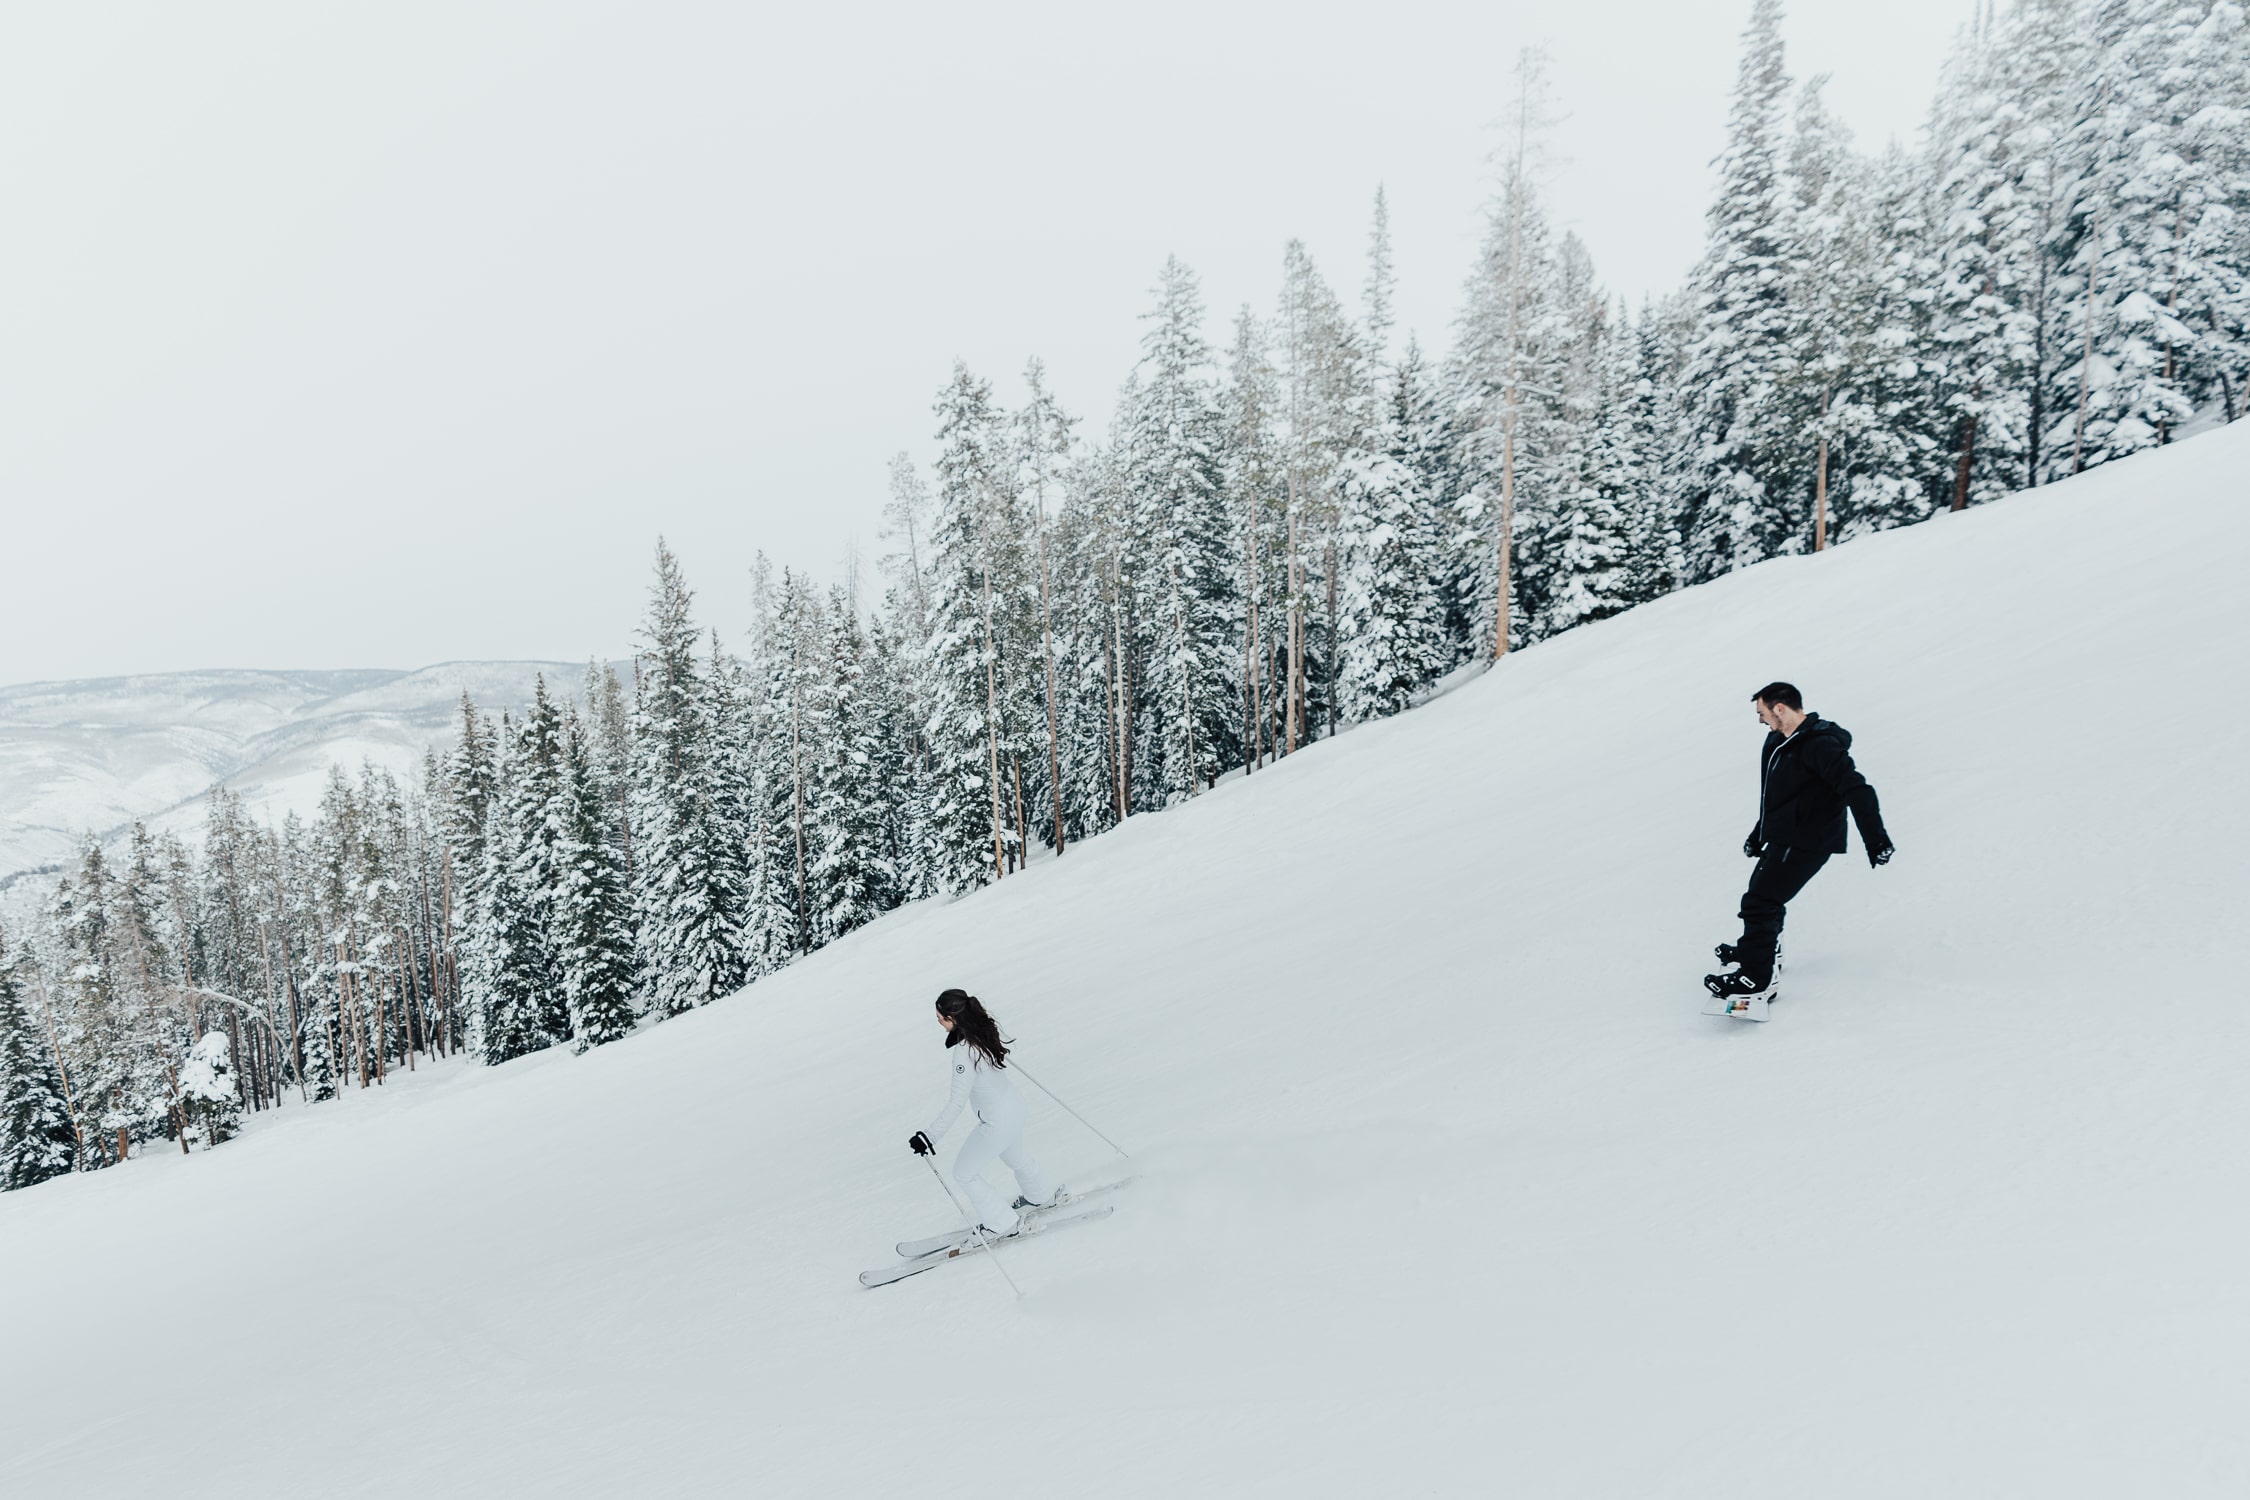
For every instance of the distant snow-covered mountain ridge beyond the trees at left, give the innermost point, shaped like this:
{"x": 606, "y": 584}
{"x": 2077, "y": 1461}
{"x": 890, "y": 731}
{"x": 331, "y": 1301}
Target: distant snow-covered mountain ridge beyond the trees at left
{"x": 98, "y": 754}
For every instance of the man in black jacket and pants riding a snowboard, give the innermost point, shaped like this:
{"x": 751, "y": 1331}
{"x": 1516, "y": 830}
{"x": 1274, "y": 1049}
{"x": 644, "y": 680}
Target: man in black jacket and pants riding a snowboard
{"x": 1806, "y": 784}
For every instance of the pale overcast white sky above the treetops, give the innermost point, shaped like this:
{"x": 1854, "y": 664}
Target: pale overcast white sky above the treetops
{"x": 395, "y": 334}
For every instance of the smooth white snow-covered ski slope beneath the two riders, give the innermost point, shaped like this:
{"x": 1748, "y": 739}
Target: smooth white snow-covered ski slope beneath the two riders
{"x": 1448, "y": 1186}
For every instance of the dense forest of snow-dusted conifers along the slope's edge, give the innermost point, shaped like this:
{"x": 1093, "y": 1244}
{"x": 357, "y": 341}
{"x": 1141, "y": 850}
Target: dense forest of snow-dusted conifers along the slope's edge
{"x": 1284, "y": 530}
